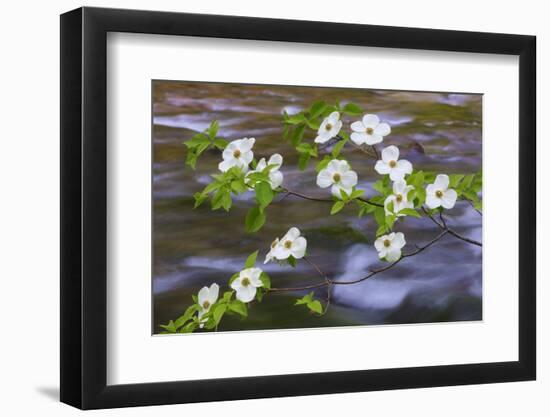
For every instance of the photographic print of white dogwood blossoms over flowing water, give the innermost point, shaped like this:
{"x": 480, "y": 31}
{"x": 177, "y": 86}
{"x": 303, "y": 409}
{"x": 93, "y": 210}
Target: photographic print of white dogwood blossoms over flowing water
{"x": 288, "y": 207}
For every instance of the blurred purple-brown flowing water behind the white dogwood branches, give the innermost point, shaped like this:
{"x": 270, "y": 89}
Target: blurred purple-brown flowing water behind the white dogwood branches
{"x": 438, "y": 132}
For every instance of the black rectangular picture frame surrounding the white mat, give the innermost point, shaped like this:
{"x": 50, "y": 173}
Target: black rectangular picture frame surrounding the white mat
{"x": 84, "y": 207}
